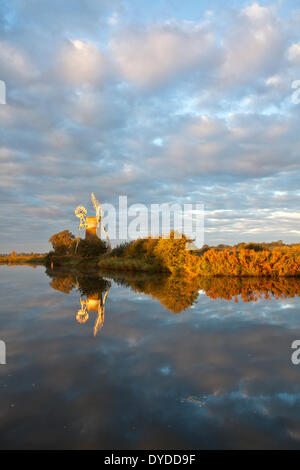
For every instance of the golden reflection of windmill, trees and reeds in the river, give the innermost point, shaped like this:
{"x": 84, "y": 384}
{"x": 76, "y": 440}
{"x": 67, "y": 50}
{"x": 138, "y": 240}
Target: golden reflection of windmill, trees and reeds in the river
{"x": 175, "y": 293}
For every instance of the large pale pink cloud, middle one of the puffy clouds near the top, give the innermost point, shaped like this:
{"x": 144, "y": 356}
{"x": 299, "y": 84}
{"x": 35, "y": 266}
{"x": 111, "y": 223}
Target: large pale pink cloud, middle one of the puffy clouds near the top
{"x": 149, "y": 58}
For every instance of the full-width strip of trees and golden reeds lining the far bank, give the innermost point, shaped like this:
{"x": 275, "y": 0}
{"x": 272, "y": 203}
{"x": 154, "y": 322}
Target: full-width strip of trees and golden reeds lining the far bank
{"x": 169, "y": 255}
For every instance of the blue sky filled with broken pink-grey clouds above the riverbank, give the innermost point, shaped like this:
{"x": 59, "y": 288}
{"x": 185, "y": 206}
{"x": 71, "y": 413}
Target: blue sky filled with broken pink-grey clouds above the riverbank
{"x": 162, "y": 101}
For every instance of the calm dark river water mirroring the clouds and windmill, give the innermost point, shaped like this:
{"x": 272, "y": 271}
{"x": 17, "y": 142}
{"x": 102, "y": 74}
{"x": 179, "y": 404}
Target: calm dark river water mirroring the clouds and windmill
{"x": 109, "y": 365}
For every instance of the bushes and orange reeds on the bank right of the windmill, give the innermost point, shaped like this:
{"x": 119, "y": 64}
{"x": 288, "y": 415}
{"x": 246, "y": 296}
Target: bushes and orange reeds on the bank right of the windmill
{"x": 170, "y": 255}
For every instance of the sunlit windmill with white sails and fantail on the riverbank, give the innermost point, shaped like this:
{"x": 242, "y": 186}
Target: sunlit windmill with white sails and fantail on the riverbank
{"x": 90, "y": 224}
